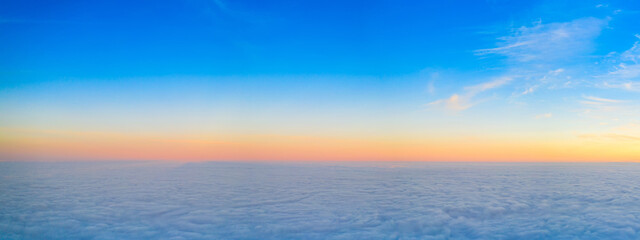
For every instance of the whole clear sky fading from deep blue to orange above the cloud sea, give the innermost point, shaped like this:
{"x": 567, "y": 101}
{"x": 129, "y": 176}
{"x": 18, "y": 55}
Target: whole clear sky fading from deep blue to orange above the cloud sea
{"x": 320, "y": 80}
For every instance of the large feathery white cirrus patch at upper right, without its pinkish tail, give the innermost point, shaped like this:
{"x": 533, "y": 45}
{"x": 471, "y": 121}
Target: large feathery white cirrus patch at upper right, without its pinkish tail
{"x": 544, "y": 55}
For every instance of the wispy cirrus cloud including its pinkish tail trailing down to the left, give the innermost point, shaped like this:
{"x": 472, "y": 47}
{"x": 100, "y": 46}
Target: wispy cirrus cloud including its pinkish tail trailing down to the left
{"x": 533, "y": 53}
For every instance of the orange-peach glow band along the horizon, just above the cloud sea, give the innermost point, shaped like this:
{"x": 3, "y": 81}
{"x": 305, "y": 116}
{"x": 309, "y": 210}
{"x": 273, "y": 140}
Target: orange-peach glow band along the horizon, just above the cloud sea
{"x": 81, "y": 146}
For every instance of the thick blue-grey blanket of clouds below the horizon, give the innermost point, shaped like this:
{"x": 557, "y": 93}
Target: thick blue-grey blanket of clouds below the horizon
{"x": 319, "y": 201}
